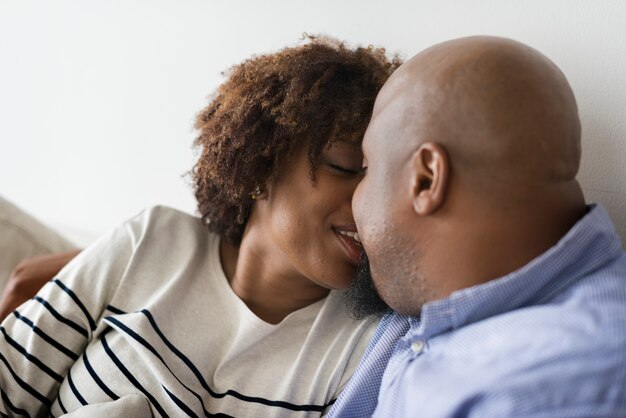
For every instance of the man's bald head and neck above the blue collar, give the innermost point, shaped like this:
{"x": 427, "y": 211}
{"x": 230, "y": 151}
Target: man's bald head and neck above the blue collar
{"x": 471, "y": 157}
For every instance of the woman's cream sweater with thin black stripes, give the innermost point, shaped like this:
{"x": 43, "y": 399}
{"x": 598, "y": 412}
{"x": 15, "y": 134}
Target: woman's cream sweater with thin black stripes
{"x": 144, "y": 323}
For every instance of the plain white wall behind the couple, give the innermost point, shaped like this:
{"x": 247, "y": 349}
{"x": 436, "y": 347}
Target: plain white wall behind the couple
{"x": 97, "y": 98}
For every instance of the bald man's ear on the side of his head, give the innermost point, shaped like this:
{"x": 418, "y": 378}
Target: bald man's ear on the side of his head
{"x": 430, "y": 171}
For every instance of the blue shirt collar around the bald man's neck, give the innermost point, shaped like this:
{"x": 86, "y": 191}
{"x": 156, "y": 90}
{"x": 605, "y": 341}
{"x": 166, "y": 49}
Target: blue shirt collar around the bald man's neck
{"x": 590, "y": 243}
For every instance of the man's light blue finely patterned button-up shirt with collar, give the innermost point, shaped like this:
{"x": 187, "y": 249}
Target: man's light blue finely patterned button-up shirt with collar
{"x": 548, "y": 340}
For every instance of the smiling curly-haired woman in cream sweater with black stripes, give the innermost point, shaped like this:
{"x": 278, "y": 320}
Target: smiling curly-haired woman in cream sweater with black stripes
{"x": 161, "y": 317}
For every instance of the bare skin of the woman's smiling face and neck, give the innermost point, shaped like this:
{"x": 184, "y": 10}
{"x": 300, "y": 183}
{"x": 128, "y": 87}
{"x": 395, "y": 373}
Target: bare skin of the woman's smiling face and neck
{"x": 290, "y": 254}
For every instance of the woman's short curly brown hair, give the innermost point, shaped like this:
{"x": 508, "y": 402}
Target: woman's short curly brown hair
{"x": 314, "y": 94}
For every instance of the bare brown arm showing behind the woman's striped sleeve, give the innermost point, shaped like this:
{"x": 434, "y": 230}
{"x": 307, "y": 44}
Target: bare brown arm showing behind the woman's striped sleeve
{"x": 29, "y": 276}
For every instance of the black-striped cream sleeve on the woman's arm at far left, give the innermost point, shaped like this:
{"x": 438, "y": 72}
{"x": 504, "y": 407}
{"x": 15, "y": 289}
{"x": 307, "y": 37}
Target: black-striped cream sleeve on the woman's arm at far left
{"x": 41, "y": 340}
